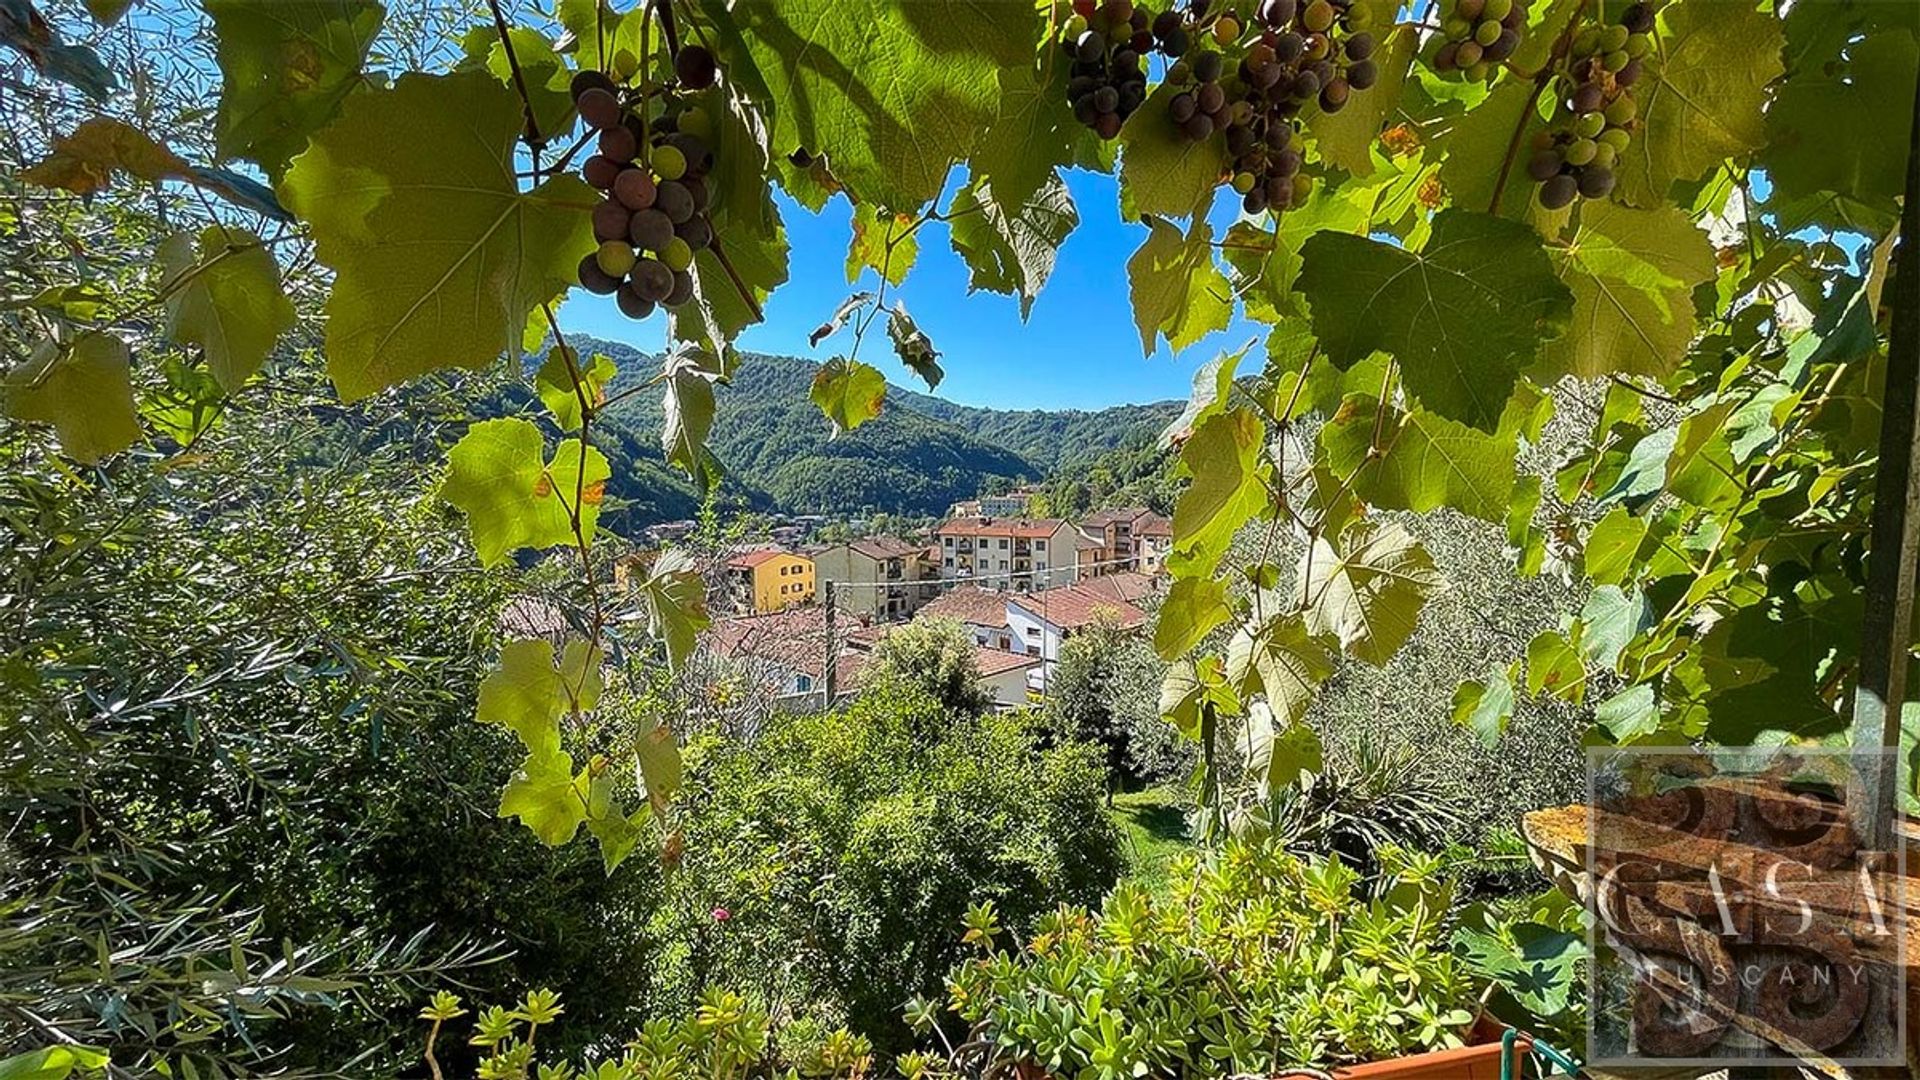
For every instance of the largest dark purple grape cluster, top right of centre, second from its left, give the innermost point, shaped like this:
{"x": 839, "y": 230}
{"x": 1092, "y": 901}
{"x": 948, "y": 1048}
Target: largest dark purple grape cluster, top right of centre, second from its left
{"x": 1301, "y": 53}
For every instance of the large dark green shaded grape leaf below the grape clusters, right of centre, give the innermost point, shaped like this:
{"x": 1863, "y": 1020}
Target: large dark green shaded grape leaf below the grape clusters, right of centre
{"x": 1462, "y": 316}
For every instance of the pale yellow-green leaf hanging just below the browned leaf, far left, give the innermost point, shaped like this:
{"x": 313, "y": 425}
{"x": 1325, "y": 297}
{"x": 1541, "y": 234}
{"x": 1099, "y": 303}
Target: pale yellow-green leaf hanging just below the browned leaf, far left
{"x": 226, "y": 297}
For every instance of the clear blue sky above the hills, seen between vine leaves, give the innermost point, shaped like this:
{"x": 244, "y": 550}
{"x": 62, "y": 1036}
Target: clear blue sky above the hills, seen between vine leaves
{"x": 1078, "y": 349}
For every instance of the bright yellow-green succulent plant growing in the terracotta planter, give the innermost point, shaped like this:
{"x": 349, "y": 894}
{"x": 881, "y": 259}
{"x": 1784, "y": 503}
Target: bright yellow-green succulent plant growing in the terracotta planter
{"x": 1257, "y": 962}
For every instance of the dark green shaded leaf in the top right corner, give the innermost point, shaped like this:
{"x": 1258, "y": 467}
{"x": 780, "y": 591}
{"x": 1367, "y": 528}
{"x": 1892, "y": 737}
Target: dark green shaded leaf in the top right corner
{"x": 1827, "y": 128}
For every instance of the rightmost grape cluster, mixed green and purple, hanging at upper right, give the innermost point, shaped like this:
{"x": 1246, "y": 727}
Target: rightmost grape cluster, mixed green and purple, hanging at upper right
{"x": 1596, "y": 112}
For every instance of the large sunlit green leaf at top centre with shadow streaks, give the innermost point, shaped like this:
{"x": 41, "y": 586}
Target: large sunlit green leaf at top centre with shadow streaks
{"x": 890, "y": 93}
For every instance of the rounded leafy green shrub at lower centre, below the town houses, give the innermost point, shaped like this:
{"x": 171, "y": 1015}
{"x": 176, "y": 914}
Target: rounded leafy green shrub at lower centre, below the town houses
{"x": 827, "y": 860}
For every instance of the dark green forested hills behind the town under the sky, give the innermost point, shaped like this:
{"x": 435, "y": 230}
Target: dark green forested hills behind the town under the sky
{"x": 917, "y": 458}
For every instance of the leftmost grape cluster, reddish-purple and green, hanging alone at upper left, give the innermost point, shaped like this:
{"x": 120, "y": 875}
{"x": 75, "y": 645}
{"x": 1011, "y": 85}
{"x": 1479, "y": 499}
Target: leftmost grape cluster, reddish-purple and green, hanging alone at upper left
{"x": 654, "y": 174}
